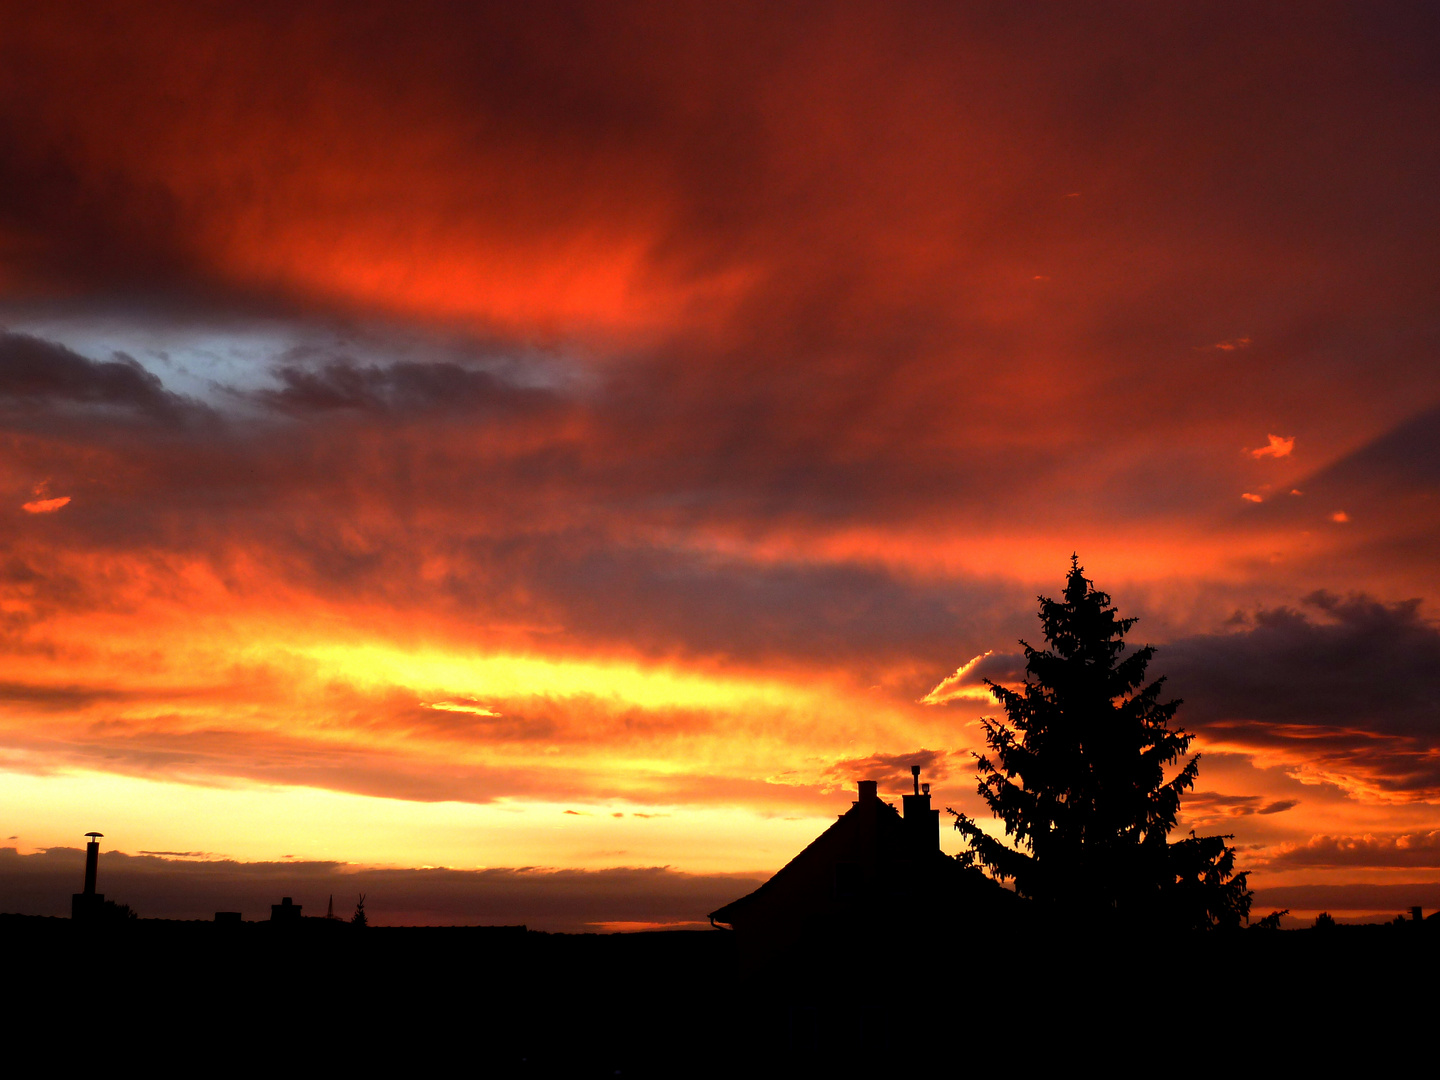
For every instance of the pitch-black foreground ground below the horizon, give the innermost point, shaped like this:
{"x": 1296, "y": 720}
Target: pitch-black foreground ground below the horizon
{"x": 500, "y": 1002}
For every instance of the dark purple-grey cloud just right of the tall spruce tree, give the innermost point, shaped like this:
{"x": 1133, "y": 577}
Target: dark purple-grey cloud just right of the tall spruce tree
{"x": 1351, "y": 683}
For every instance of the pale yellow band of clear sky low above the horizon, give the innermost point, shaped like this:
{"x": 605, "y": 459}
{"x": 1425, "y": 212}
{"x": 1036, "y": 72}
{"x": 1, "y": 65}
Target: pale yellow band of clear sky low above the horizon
{"x": 267, "y": 823}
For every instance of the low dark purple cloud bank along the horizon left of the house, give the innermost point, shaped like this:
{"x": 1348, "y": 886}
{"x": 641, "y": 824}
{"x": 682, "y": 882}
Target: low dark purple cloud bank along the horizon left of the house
{"x": 561, "y": 901}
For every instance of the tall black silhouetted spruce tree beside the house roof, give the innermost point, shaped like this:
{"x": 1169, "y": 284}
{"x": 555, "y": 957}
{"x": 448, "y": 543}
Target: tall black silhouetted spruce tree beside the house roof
{"x": 1078, "y": 778}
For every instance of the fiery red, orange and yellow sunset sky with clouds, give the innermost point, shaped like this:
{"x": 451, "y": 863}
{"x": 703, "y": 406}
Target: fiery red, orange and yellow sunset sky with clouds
{"x": 593, "y": 437}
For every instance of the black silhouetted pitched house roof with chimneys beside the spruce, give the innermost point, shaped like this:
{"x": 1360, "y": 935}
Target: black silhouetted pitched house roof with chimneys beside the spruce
{"x": 873, "y": 870}
